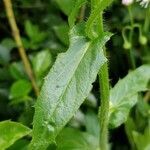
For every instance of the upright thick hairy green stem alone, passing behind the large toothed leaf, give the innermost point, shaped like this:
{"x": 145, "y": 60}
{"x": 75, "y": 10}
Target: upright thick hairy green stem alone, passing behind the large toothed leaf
{"x": 104, "y": 92}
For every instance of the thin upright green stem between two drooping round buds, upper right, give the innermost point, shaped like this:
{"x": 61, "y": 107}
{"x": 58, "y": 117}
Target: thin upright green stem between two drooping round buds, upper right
{"x": 130, "y": 38}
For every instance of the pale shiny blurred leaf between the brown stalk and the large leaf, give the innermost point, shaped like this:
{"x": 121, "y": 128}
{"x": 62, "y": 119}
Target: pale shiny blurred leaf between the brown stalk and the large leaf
{"x": 41, "y": 62}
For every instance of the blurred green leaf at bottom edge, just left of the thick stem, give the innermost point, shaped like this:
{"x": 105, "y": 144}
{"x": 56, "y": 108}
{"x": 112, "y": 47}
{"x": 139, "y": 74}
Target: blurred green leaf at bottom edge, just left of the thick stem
{"x": 72, "y": 139}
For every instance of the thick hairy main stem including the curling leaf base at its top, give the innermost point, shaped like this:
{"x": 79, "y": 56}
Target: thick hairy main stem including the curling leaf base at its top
{"x": 97, "y": 7}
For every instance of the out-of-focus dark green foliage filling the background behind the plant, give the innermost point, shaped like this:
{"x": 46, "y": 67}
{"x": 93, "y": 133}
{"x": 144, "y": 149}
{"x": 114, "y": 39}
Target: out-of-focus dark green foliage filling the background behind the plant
{"x": 44, "y": 29}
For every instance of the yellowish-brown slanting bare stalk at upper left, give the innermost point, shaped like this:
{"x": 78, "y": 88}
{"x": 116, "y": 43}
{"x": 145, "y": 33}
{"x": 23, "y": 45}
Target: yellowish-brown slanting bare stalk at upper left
{"x": 17, "y": 38}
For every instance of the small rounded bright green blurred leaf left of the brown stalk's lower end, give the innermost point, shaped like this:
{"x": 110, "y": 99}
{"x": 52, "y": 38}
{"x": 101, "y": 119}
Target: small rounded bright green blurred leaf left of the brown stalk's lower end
{"x": 20, "y": 89}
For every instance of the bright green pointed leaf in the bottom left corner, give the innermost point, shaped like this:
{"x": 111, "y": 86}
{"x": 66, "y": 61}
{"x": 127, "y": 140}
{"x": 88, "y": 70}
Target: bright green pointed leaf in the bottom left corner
{"x": 11, "y": 132}
